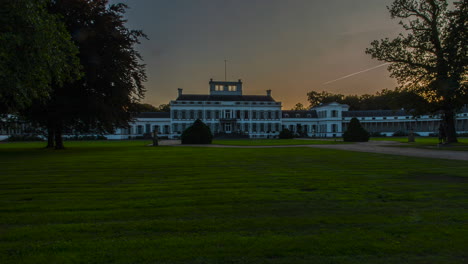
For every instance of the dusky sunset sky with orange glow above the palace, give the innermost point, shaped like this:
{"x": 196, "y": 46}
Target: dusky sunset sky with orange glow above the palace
{"x": 289, "y": 46}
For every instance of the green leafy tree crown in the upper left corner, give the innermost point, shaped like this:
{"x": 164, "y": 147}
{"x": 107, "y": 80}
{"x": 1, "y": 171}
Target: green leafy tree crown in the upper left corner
{"x": 36, "y": 50}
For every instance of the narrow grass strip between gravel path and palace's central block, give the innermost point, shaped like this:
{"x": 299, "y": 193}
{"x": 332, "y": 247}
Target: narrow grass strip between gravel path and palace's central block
{"x": 277, "y": 142}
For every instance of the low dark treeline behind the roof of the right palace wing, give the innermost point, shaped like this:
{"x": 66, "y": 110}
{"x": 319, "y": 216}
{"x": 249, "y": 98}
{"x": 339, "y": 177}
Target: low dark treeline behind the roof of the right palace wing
{"x": 383, "y": 100}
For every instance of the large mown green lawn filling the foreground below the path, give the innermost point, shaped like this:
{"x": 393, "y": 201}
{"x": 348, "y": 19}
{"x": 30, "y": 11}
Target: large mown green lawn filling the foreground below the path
{"x": 122, "y": 202}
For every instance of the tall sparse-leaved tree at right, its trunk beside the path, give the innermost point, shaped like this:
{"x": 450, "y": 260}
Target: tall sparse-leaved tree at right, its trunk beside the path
{"x": 431, "y": 58}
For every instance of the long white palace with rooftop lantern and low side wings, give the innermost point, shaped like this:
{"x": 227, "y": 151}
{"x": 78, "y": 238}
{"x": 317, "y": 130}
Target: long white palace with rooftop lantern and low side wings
{"x": 226, "y": 110}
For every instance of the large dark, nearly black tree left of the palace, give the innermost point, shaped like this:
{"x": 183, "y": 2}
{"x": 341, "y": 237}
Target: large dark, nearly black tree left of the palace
{"x": 106, "y": 96}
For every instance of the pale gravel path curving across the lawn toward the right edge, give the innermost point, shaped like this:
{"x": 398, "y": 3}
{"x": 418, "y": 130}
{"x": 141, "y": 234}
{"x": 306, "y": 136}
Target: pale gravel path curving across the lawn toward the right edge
{"x": 383, "y": 147}
